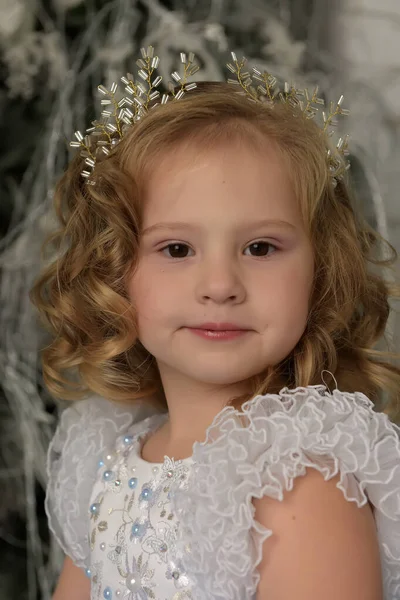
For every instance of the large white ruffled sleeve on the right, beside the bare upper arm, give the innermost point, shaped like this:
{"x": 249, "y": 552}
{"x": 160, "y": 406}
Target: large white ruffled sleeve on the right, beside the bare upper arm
{"x": 260, "y": 451}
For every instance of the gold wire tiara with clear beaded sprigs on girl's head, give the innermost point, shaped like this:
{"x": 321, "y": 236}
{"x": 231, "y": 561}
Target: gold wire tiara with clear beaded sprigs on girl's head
{"x": 121, "y": 114}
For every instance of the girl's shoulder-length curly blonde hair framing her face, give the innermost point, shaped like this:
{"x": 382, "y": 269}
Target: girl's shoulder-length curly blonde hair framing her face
{"x": 82, "y": 294}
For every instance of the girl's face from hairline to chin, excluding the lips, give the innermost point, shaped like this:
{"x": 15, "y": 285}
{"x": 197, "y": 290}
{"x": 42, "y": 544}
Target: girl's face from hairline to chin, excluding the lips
{"x": 222, "y": 241}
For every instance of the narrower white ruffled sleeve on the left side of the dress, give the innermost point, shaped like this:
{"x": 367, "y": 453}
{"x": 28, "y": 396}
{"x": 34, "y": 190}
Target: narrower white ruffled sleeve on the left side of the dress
{"x": 86, "y": 429}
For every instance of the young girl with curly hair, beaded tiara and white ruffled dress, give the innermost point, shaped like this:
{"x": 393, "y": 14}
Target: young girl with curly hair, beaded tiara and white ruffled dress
{"x": 211, "y": 267}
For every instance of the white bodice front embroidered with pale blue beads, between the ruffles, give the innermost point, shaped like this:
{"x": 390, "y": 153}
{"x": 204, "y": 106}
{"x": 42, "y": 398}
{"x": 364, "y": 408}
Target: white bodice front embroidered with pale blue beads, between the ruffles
{"x": 132, "y": 528}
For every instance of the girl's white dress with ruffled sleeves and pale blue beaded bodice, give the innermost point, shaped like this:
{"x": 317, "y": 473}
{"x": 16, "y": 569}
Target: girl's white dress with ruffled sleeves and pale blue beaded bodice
{"x": 186, "y": 529}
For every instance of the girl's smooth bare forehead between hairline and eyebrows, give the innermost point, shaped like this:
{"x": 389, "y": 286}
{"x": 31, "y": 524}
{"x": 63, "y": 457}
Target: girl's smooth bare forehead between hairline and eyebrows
{"x": 221, "y": 183}
